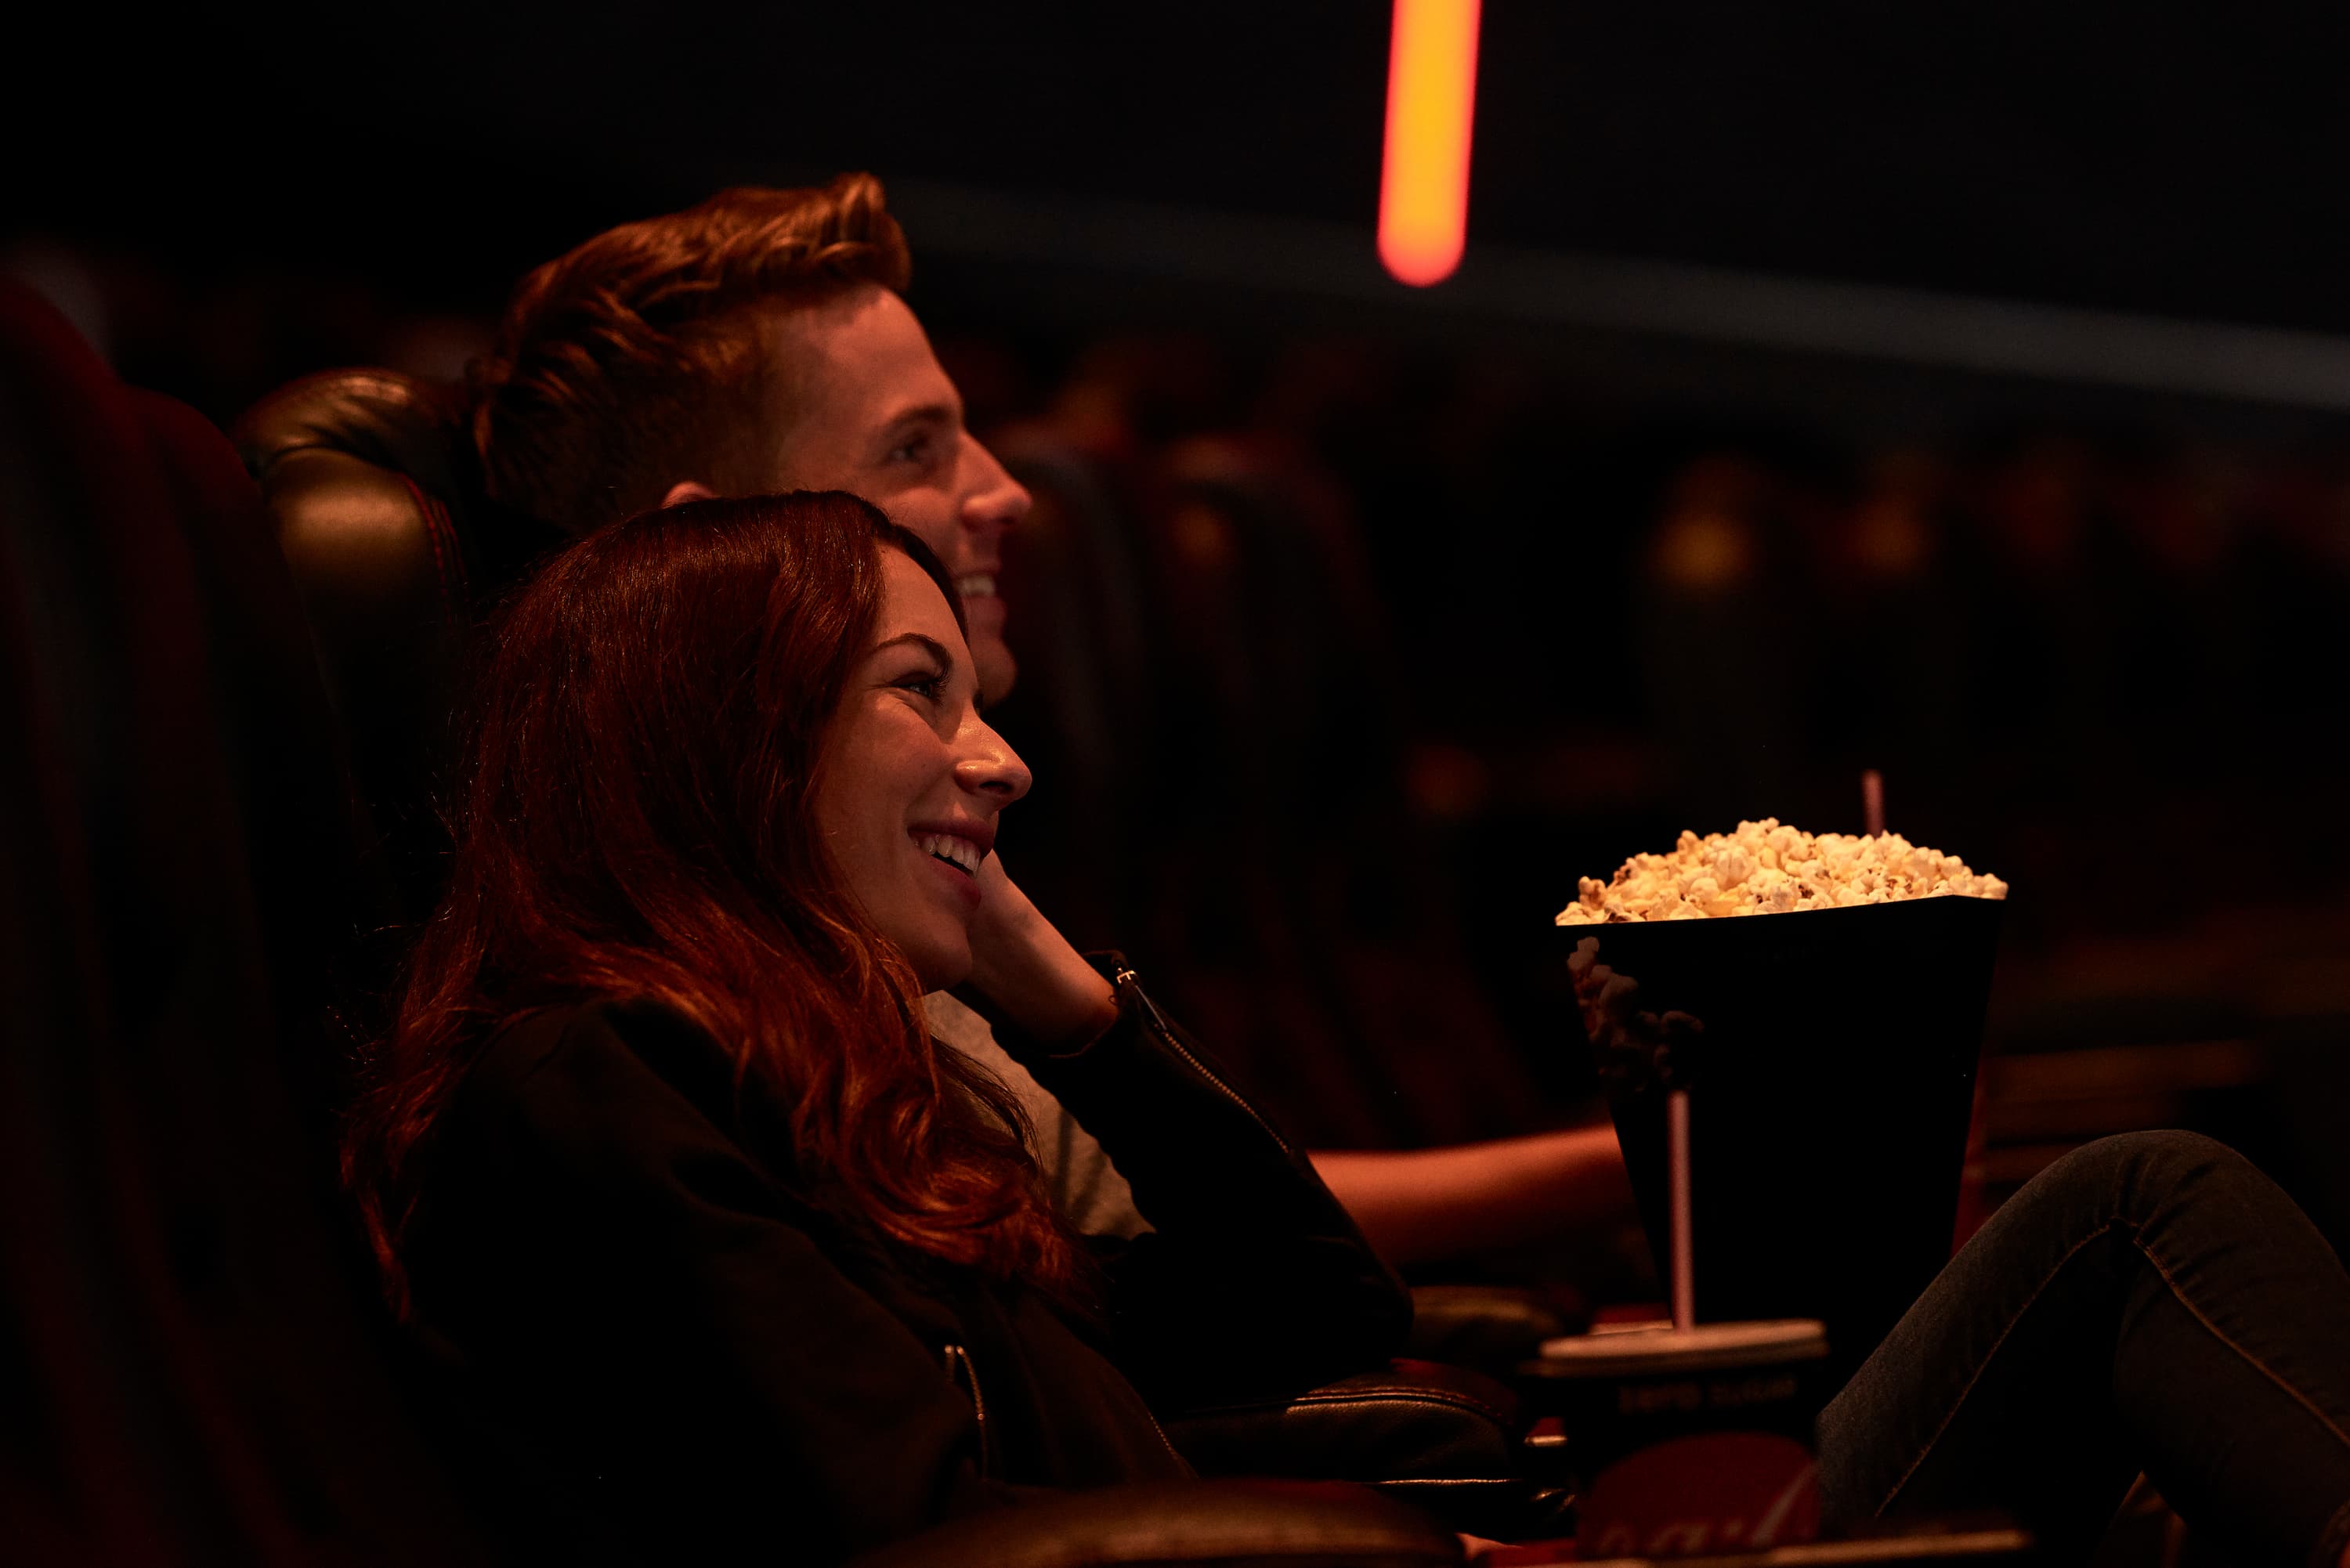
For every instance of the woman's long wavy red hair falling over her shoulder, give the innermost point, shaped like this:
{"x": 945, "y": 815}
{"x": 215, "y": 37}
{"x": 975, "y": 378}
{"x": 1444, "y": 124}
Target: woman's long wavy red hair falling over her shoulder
{"x": 636, "y": 824}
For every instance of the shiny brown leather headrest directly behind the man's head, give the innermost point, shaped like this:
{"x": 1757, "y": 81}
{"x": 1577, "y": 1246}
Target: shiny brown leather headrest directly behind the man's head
{"x": 375, "y": 500}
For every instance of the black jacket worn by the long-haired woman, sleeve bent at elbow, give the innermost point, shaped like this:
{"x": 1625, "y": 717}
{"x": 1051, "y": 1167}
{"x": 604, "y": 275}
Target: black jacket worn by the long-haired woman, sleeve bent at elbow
{"x": 647, "y": 1306}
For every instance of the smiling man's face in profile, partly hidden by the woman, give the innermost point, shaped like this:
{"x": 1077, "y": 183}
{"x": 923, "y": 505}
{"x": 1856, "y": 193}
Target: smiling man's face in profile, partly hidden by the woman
{"x": 873, "y": 413}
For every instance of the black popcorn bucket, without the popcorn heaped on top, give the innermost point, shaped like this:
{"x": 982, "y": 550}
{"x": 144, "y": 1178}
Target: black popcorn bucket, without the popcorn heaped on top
{"x": 1829, "y": 1059}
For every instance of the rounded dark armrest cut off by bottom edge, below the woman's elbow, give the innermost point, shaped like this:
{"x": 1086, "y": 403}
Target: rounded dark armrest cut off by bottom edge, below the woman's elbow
{"x": 1230, "y": 1525}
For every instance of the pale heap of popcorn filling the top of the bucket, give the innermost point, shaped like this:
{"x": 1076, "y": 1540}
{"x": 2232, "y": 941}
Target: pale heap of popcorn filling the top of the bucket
{"x": 1771, "y": 869}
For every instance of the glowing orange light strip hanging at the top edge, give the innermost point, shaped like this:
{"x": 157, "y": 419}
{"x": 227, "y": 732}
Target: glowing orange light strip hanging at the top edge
{"x": 1430, "y": 105}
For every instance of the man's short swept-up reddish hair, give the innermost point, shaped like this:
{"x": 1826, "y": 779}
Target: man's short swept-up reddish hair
{"x": 645, "y": 356}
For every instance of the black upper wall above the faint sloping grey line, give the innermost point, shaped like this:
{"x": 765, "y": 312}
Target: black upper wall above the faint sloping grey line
{"x": 2147, "y": 159}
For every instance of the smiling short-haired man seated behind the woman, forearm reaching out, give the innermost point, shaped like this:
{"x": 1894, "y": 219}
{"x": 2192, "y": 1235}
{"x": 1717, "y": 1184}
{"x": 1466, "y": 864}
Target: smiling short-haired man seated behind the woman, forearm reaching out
{"x": 760, "y": 342}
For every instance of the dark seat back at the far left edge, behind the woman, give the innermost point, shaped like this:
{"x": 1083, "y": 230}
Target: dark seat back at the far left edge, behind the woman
{"x": 199, "y": 1362}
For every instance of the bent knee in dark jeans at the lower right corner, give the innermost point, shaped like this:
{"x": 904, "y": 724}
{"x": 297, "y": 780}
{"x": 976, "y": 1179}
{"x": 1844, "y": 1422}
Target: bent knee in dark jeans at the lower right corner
{"x": 2144, "y": 1304}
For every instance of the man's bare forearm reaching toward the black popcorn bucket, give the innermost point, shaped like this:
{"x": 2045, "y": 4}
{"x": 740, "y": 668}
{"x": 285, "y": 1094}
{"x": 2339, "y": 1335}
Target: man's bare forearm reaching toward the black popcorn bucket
{"x": 1432, "y": 1205}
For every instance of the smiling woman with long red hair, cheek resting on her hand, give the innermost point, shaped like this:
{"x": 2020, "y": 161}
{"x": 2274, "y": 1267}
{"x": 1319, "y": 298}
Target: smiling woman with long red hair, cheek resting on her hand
{"x": 662, "y": 1146}
